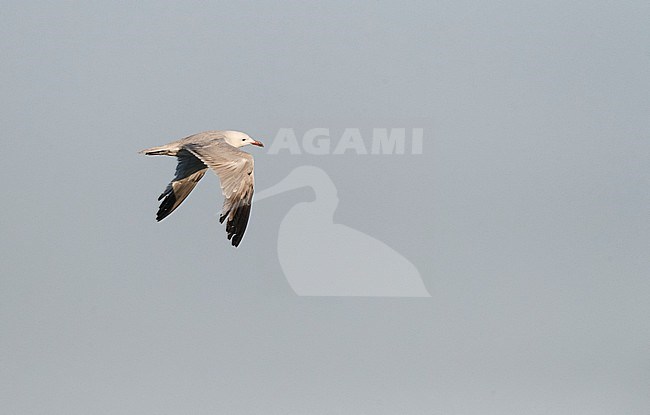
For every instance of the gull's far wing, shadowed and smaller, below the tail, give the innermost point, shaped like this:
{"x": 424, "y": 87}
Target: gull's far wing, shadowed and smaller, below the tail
{"x": 189, "y": 171}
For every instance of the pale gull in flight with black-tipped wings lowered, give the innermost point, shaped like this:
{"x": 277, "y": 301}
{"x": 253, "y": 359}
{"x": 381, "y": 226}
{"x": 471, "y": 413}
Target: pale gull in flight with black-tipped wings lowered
{"x": 219, "y": 151}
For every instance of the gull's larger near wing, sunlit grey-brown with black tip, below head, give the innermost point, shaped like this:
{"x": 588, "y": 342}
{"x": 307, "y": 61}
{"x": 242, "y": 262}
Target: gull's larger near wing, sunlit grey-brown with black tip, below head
{"x": 235, "y": 170}
